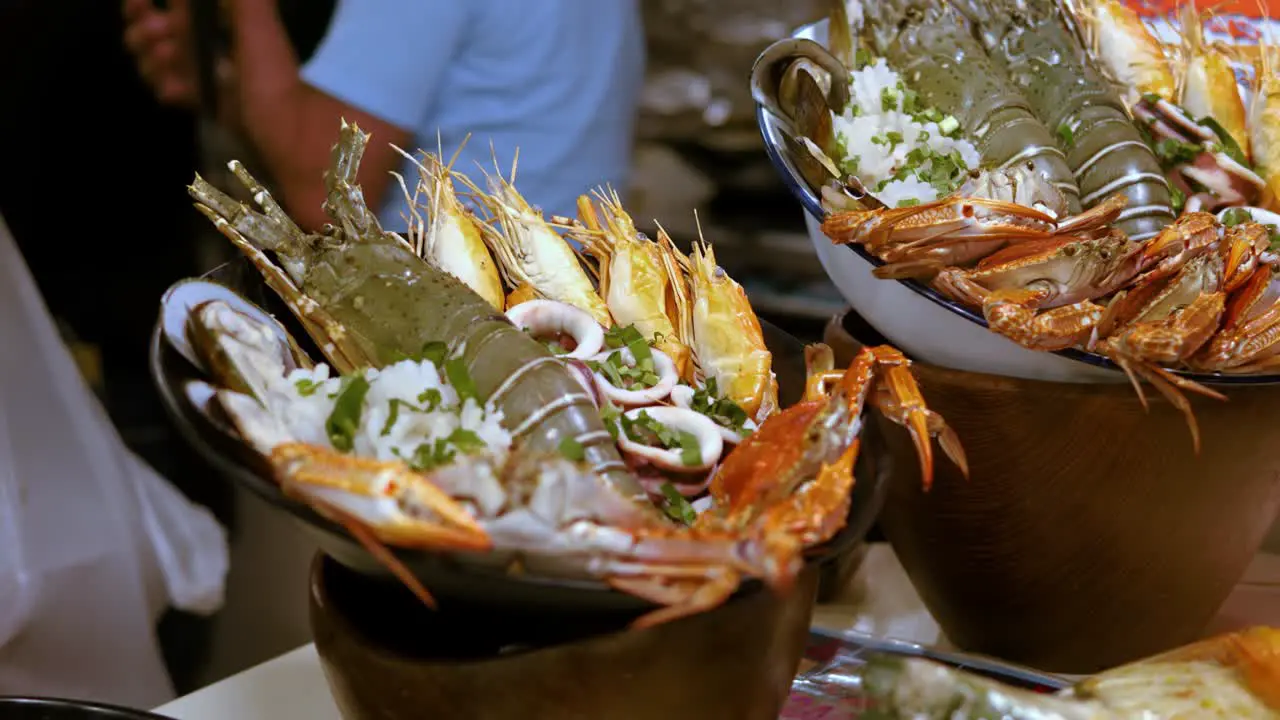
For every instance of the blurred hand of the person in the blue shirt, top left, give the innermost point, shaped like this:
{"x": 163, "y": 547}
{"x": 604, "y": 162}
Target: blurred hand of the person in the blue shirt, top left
{"x": 161, "y": 43}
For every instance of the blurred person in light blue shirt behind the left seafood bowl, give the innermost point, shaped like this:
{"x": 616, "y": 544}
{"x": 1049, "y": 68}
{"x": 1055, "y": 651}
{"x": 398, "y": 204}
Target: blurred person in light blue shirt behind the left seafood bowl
{"x": 559, "y": 80}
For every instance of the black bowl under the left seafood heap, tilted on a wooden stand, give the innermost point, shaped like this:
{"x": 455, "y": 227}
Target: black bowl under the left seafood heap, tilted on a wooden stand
{"x": 467, "y": 577}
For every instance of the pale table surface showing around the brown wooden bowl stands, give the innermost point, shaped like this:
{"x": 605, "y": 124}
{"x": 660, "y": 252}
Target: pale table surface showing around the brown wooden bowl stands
{"x": 880, "y": 600}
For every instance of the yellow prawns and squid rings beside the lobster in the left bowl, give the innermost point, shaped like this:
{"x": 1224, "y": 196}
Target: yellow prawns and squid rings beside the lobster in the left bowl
{"x": 665, "y": 344}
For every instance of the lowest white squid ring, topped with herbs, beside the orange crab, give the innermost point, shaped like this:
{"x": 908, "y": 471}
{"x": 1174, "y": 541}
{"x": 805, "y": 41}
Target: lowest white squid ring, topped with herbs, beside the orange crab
{"x": 671, "y": 439}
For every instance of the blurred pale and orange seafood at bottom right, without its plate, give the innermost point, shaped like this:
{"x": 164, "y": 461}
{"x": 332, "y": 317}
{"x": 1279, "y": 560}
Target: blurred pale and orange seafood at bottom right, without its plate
{"x": 1235, "y": 676}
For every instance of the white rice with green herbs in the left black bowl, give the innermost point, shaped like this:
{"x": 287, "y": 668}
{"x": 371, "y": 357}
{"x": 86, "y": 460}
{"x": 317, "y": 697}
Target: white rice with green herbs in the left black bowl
{"x": 409, "y": 405}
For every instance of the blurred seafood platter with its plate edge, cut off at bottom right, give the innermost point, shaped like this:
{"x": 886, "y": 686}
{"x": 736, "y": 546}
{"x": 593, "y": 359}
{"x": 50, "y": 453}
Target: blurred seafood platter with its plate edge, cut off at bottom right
{"x": 1233, "y": 676}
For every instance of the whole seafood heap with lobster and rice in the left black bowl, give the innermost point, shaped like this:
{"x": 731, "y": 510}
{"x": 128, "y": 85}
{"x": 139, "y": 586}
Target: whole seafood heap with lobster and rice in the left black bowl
{"x": 484, "y": 395}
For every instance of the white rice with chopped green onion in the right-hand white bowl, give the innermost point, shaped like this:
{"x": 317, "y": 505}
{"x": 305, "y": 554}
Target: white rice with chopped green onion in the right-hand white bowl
{"x": 903, "y": 153}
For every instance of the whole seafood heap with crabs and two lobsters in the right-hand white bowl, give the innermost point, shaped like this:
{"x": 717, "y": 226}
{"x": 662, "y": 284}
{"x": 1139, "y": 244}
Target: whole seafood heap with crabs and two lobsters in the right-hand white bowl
{"x": 1054, "y": 166}
